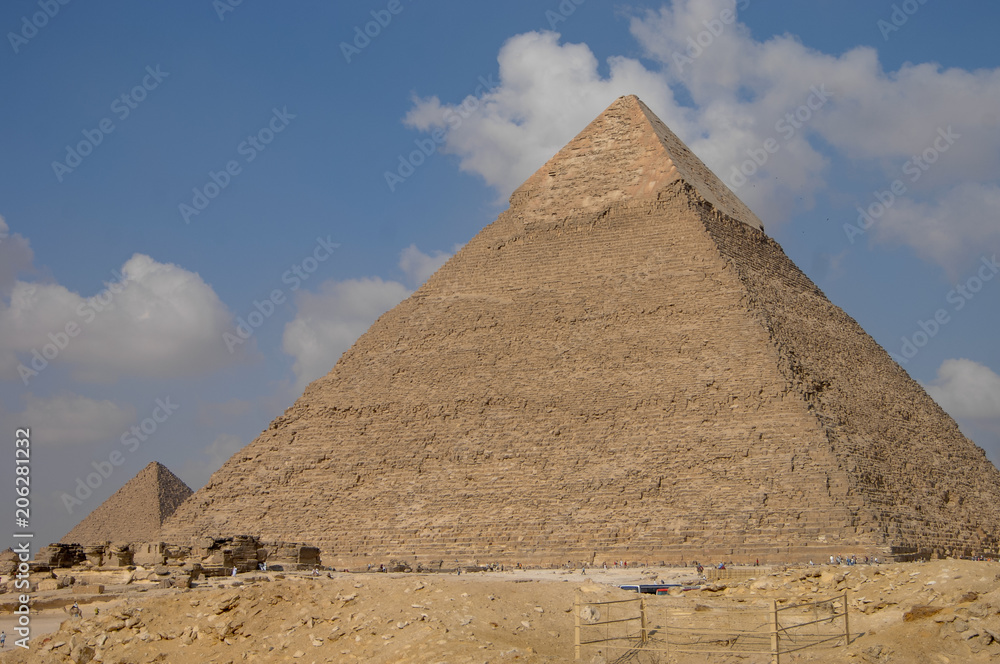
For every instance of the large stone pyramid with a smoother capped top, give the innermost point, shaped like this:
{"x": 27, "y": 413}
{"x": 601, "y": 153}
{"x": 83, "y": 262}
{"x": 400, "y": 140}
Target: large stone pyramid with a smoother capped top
{"x": 622, "y": 365}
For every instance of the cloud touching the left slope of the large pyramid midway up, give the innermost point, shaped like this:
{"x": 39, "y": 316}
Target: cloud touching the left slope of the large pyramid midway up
{"x": 328, "y": 322}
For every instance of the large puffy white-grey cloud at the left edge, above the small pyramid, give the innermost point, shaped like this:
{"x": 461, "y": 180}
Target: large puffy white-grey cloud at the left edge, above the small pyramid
{"x": 156, "y": 320}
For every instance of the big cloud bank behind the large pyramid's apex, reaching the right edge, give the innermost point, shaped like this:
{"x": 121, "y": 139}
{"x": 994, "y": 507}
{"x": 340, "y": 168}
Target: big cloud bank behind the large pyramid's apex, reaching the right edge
{"x": 738, "y": 92}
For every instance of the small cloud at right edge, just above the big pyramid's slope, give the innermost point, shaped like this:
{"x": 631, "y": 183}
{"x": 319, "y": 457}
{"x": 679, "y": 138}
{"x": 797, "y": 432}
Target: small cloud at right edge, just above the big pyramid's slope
{"x": 967, "y": 389}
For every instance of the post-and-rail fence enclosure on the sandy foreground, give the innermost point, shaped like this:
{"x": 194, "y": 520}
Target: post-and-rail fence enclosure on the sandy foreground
{"x": 643, "y": 628}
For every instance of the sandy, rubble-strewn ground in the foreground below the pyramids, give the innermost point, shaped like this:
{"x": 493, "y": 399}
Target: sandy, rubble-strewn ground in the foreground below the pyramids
{"x": 941, "y": 612}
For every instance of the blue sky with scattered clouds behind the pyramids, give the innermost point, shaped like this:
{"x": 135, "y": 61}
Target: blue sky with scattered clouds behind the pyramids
{"x": 207, "y": 171}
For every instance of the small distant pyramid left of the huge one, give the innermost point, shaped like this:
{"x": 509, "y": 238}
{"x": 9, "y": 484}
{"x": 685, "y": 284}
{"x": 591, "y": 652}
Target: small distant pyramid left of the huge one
{"x": 136, "y": 511}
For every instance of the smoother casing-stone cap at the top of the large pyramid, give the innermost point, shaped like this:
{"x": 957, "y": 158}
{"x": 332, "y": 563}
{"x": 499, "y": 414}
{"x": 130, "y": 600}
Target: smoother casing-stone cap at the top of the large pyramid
{"x": 626, "y": 153}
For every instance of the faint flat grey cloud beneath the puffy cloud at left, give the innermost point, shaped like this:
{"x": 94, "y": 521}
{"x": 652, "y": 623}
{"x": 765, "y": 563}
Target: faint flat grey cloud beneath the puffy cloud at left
{"x": 71, "y": 419}
